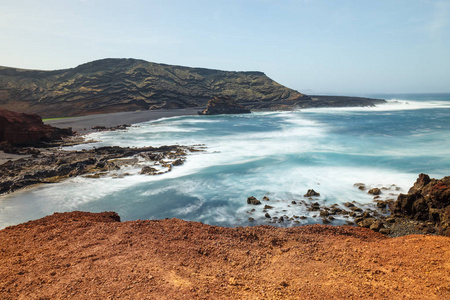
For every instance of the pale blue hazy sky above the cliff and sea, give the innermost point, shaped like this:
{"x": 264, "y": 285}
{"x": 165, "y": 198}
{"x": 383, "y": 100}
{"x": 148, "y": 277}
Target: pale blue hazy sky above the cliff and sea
{"x": 313, "y": 46}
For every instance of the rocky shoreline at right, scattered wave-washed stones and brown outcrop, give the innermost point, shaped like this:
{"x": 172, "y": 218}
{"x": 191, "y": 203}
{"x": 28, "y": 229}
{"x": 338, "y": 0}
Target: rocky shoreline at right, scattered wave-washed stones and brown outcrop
{"x": 425, "y": 209}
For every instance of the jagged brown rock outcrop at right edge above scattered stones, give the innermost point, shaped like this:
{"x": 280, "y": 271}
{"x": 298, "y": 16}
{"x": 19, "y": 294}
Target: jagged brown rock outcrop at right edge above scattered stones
{"x": 427, "y": 200}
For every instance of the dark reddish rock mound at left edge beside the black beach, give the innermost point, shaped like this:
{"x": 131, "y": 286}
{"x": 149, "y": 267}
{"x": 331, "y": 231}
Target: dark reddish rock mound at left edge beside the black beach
{"x": 27, "y": 129}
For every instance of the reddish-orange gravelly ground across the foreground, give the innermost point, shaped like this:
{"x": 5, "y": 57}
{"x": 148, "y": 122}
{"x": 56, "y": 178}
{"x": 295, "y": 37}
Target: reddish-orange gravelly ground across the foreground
{"x": 84, "y": 255}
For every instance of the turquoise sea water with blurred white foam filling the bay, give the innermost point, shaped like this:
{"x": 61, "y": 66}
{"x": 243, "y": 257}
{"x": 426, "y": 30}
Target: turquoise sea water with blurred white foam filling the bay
{"x": 276, "y": 154}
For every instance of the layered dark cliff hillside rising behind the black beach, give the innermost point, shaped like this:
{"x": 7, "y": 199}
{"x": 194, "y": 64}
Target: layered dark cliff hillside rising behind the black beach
{"x": 112, "y": 85}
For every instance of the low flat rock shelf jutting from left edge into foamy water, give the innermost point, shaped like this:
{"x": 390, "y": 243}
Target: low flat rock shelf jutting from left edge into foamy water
{"x": 54, "y": 166}
